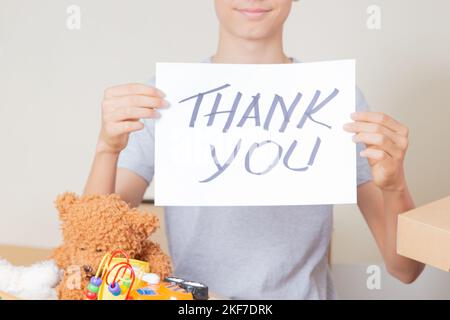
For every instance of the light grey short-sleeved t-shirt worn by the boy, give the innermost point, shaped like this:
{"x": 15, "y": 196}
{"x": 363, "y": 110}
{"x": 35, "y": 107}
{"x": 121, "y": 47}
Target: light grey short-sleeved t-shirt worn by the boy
{"x": 267, "y": 252}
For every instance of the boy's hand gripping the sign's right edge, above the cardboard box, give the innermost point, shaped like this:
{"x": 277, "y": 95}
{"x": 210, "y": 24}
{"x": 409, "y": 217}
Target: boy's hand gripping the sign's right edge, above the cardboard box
{"x": 387, "y": 142}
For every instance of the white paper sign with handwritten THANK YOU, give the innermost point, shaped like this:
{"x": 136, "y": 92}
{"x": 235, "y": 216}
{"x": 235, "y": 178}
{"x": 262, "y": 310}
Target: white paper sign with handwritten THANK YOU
{"x": 255, "y": 134}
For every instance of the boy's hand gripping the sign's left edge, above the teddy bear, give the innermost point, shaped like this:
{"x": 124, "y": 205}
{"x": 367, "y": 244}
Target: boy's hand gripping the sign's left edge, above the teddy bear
{"x": 122, "y": 108}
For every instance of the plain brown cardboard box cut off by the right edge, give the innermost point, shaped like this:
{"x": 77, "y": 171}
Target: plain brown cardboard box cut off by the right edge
{"x": 424, "y": 234}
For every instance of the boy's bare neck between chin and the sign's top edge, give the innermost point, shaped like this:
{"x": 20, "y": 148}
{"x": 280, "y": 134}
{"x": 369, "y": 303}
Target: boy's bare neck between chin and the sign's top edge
{"x": 232, "y": 49}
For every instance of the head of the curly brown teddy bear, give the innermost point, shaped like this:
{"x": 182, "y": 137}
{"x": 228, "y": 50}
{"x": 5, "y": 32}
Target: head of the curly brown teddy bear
{"x": 93, "y": 225}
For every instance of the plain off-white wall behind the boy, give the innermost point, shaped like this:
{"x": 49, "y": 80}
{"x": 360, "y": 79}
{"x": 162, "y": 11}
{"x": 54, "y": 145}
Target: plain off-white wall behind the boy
{"x": 52, "y": 80}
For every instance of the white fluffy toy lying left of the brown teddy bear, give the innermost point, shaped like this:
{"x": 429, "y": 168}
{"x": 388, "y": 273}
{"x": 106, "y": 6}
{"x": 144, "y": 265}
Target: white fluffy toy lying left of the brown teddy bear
{"x": 35, "y": 282}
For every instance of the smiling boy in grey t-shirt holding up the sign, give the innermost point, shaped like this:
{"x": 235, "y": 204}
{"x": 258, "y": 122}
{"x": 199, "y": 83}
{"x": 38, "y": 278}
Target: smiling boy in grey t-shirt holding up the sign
{"x": 255, "y": 252}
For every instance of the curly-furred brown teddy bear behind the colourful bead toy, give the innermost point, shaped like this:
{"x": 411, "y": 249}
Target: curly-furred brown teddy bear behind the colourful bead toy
{"x": 94, "y": 225}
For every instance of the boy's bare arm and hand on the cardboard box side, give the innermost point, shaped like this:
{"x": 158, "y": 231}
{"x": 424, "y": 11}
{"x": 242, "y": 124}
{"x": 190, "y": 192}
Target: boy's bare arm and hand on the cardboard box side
{"x": 383, "y": 199}
